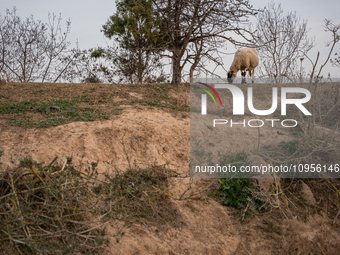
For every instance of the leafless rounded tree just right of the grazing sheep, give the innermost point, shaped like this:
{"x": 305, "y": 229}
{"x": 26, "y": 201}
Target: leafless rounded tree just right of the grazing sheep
{"x": 283, "y": 39}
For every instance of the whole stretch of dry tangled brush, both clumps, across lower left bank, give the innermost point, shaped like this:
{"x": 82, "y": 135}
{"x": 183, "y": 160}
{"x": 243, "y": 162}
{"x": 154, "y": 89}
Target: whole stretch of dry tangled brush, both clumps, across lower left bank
{"x": 61, "y": 208}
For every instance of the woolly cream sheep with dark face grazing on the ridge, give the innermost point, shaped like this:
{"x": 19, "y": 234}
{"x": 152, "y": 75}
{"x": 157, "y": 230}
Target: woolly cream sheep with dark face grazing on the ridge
{"x": 244, "y": 60}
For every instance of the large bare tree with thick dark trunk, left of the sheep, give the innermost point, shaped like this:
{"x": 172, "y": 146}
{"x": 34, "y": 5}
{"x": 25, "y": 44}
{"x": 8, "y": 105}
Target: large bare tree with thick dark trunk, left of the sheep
{"x": 193, "y": 24}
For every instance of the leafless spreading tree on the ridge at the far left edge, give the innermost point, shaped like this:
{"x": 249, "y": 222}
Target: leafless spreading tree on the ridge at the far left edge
{"x": 33, "y": 50}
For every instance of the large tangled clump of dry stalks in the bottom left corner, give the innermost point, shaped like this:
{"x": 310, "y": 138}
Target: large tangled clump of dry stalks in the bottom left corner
{"x": 51, "y": 209}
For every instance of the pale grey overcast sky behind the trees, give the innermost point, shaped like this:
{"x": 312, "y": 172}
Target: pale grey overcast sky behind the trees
{"x": 87, "y": 18}
